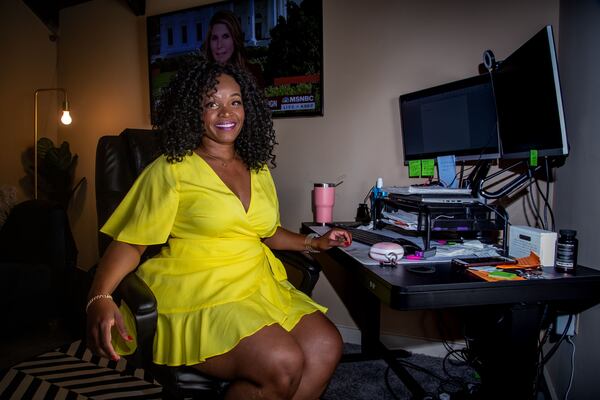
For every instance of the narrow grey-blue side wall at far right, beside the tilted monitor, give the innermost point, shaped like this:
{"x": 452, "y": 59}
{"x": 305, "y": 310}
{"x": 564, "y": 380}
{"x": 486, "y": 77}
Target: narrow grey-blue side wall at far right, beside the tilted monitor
{"x": 575, "y": 203}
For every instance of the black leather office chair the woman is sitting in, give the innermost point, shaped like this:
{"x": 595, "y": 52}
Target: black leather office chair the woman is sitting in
{"x": 119, "y": 160}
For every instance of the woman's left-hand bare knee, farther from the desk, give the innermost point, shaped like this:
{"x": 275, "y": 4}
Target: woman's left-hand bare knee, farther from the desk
{"x": 284, "y": 372}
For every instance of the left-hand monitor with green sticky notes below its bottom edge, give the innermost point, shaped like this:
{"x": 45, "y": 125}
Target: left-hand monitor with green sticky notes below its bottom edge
{"x": 456, "y": 118}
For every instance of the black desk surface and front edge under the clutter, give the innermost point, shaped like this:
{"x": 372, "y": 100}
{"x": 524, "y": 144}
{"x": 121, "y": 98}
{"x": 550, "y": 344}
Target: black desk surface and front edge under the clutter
{"x": 448, "y": 287}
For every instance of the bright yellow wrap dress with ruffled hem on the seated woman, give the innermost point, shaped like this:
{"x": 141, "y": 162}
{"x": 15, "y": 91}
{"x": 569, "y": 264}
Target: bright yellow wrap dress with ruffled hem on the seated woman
{"x": 215, "y": 281}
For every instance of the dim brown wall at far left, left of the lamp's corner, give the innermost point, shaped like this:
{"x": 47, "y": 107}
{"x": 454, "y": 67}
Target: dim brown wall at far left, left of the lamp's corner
{"x": 28, "y": 63}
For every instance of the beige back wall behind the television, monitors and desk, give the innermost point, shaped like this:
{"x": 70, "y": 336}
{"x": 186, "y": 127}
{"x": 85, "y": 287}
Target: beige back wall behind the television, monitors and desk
{"x": 373, "y": 52}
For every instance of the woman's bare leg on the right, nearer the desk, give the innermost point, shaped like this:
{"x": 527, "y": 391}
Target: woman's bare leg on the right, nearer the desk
{"x": 321, "y": 345}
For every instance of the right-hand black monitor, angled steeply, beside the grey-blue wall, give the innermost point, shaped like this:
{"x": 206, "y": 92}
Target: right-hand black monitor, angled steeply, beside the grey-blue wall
{"x": 529, "y": 102}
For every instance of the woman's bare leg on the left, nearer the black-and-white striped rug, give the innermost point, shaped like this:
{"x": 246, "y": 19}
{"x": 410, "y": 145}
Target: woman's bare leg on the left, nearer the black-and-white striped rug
{"x": 266, "y": 365}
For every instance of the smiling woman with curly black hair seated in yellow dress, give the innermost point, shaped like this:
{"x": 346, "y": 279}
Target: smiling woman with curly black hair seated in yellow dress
{"x": 224, "y": 303}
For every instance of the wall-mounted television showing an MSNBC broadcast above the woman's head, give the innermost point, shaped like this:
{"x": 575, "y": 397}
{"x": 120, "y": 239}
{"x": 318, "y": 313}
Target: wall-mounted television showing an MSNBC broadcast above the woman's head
{"x": 282, "y": 47}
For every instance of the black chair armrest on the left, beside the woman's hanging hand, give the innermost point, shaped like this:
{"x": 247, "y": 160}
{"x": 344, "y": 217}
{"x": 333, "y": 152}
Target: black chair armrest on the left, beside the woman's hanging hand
{"x": 142, "y": 303}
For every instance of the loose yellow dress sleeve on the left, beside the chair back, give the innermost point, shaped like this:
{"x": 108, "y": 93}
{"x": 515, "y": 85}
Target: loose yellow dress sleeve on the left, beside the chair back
{"x": 146, "y": 215}
